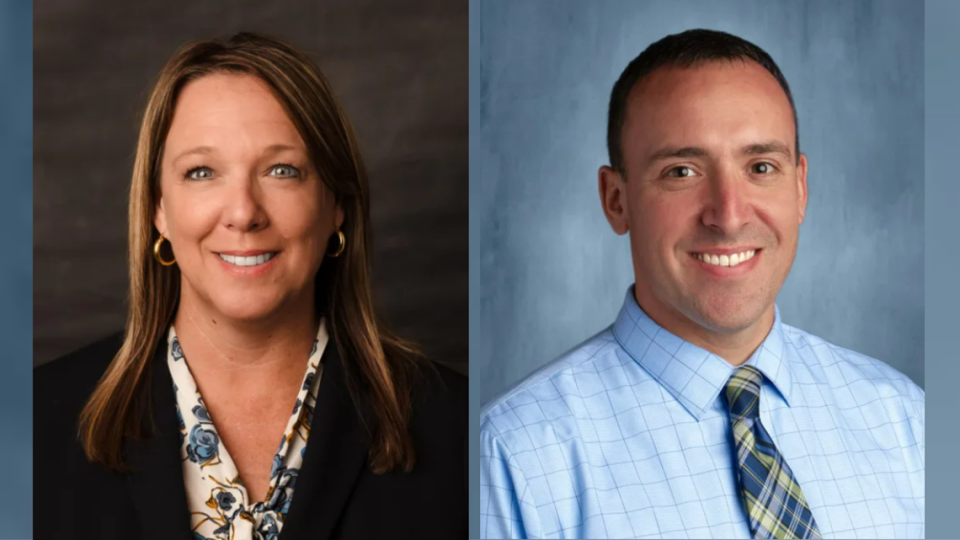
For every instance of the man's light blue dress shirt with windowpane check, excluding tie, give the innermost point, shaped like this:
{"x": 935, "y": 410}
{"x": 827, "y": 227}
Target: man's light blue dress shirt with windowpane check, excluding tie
{"x": 626, "y": 436}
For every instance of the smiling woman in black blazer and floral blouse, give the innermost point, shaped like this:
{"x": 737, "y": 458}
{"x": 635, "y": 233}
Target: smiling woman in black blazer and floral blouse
{"x": 249, "y": 299}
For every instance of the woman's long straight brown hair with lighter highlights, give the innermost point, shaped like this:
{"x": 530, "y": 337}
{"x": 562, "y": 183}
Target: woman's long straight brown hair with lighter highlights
{"x": 379, "y": 366}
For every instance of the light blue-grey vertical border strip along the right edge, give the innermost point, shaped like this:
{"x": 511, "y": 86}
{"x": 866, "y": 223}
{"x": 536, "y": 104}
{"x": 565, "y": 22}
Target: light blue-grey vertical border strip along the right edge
{"x": 942, "y": 264}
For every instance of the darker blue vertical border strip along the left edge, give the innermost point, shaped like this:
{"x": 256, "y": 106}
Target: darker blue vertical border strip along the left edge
{"x": 16, "y": 273}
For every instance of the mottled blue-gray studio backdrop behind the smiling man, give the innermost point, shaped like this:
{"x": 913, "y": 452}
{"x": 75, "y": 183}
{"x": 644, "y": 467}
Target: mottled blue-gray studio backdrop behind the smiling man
{"x": 552, "y": 273}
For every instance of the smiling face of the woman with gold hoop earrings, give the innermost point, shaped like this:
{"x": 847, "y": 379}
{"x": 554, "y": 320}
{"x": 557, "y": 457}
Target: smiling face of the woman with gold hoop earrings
{"x": 247, "y": 217}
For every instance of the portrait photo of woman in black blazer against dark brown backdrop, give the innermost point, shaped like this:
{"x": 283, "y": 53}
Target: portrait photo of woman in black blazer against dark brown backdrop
{"x": 250, "y": 269}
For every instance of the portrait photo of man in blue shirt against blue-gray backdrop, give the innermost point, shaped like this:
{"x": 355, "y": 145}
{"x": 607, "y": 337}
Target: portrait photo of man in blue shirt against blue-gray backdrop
{"x": 701, "y": 292}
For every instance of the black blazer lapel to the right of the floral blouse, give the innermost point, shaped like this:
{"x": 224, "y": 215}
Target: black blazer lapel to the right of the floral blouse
{"x": 335, "y": 457}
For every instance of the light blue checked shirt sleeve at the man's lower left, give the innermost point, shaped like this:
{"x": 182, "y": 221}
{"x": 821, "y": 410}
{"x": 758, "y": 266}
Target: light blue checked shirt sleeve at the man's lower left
{"x": 506, "y": 510}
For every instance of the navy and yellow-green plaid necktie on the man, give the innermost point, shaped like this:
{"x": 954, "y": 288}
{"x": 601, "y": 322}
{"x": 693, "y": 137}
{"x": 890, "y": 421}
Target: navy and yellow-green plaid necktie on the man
{"x": 773, "y": 500}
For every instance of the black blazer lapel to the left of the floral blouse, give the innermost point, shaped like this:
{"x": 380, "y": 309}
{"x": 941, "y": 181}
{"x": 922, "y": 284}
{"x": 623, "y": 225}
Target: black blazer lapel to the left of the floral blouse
{"x": 156, "y": 477}
